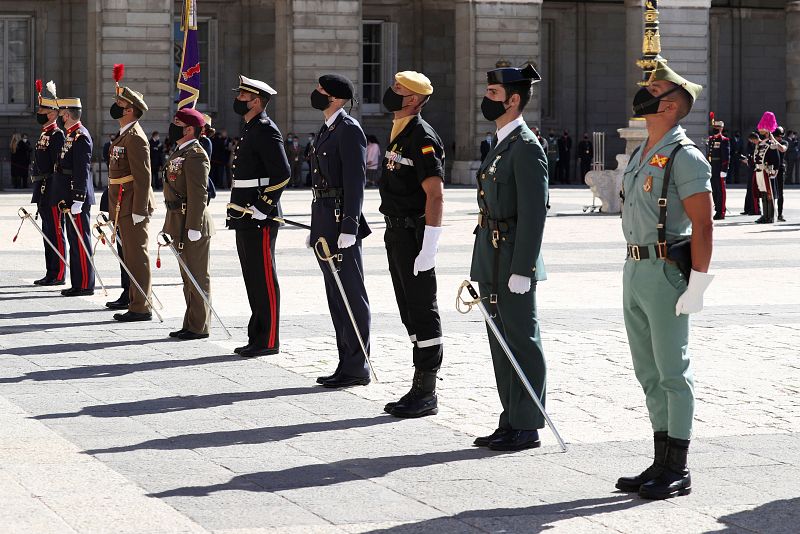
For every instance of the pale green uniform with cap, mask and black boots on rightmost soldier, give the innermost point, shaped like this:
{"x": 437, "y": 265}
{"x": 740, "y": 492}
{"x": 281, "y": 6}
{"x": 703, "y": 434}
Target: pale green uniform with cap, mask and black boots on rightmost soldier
{"x": 652, "y": 285}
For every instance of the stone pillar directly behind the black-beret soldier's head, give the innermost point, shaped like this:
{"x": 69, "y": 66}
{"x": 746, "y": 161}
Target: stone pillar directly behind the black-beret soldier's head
{"x": 313, "y": 37}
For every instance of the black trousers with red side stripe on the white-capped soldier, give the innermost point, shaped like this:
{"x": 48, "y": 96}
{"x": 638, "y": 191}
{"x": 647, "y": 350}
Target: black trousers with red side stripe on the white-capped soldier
{"x": 256, "y": 248}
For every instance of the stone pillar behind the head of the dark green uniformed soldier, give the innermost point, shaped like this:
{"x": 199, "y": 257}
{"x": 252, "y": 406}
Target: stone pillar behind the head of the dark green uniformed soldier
{"x": 488, "y": 31}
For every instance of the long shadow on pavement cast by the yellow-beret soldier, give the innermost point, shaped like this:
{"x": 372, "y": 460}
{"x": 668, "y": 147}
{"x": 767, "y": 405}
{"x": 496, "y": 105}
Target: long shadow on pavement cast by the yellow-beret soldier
{"x": 249, "y": 436}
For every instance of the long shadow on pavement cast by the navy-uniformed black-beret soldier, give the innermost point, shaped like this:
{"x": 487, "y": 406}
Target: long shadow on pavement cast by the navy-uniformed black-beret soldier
{"x": 180, "y": 403}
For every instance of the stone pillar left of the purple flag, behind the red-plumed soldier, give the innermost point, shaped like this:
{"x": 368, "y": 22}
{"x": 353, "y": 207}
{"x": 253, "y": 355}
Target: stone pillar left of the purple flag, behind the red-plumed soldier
{"x": 139, "y": 35}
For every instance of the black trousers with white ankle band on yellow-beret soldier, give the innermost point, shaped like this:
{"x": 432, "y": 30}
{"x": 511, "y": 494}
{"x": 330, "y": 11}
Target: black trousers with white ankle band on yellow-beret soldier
{"x": 416, "y": 296}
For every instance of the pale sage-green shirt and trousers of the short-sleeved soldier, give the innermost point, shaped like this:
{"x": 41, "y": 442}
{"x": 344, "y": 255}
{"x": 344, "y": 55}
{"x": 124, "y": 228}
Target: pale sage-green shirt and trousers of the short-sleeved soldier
{"x": 651, "y": 287}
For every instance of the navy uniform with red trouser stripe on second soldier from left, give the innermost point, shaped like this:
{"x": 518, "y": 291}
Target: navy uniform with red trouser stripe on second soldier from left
{"x": 73, "y": 179}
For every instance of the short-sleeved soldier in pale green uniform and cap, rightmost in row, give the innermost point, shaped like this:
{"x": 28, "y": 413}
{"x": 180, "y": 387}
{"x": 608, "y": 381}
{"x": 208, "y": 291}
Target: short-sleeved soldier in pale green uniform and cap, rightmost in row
{"x": 667, "y": 223}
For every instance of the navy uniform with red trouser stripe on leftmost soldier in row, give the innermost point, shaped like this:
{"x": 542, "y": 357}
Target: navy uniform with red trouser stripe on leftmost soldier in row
{"x": 45, "y": 157}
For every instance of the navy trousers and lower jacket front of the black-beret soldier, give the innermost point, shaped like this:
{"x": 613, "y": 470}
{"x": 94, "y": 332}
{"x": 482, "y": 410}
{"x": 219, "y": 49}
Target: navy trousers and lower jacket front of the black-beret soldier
{"x": 352, "y": 361}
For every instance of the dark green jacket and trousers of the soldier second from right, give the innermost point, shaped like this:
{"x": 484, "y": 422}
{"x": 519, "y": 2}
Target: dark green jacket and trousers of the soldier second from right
{"x": 512, "y": 196}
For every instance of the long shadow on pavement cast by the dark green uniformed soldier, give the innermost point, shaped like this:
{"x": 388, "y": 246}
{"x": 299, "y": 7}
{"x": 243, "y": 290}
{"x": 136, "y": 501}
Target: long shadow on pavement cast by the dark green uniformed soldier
{"x": 327, "y": 474}
